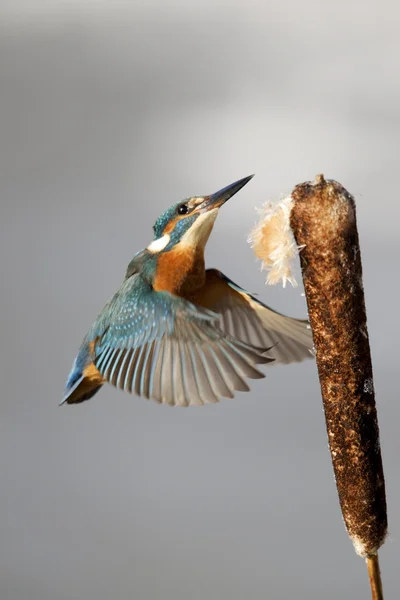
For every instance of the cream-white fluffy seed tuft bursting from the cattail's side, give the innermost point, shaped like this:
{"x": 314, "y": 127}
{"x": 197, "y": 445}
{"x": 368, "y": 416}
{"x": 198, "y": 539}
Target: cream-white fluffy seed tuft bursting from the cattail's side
{"x": 273, "y": 242}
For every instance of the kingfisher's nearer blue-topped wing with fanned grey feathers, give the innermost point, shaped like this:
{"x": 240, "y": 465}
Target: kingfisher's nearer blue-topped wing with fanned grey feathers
{"x": 163, "y": 347}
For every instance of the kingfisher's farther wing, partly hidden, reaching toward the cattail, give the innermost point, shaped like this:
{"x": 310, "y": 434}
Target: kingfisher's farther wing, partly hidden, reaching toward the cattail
{"x": 247, "y": 319}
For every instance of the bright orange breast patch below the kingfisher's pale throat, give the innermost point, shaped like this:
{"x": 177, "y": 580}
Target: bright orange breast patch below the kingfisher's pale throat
{"x": 181, "y": 271}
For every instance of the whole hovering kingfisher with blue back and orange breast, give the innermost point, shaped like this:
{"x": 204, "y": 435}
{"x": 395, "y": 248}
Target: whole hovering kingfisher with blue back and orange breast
{"x": 177, "y": 332}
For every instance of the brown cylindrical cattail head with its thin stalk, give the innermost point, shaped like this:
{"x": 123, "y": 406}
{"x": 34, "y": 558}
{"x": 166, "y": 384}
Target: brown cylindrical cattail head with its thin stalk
{"x": 323, "y": 220}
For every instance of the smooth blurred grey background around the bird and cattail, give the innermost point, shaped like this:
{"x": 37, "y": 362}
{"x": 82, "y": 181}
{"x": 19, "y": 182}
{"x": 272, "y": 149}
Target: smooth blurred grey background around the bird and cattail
{"x": 109, "y": 112}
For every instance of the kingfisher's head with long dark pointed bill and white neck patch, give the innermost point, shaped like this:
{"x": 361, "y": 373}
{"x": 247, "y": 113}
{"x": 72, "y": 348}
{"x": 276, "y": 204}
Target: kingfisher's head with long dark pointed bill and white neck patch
{"x": 188, "y": 223}
